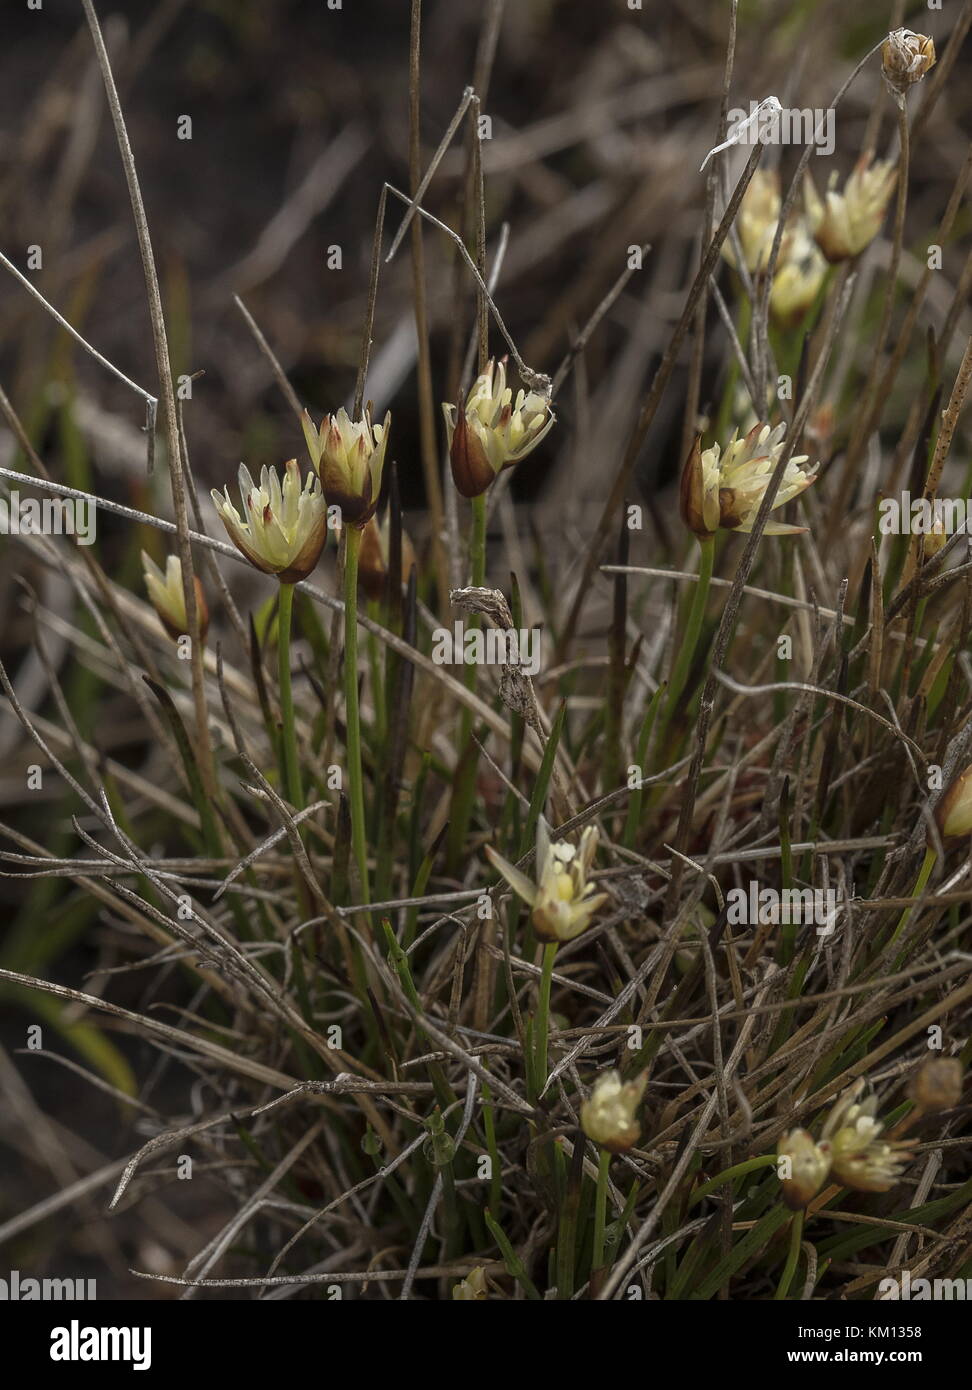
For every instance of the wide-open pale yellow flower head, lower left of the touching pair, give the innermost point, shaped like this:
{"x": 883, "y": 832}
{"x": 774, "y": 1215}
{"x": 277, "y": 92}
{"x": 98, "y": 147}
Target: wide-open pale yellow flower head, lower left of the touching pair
{"x": 283, "y": 528}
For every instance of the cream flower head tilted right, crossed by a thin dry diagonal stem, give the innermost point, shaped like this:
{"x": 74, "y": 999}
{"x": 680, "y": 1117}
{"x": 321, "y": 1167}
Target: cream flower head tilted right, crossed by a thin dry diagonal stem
{"x": 725, "y": 490}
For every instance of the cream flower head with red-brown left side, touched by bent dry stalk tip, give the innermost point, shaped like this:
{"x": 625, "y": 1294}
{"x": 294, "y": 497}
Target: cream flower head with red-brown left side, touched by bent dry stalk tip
{"x": 493, "y": 432}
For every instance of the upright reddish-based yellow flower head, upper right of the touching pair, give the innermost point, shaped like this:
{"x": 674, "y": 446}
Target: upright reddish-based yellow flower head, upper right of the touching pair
{"x": 350, "y": 457}
